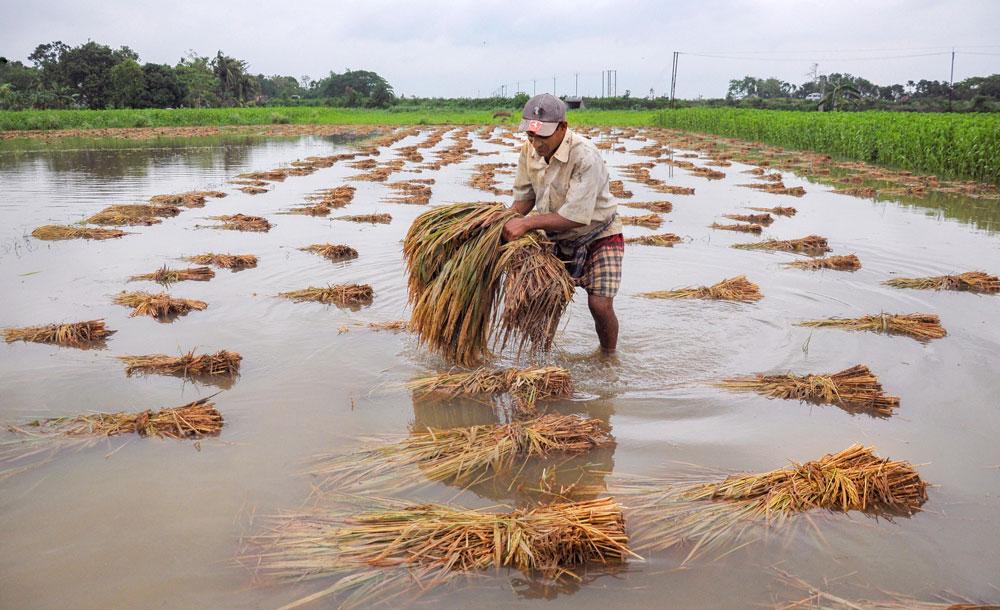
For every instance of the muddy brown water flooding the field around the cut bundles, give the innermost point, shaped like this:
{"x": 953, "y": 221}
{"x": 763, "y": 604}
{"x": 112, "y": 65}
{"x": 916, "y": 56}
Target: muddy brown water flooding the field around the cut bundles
{"x": 139, "y": 523}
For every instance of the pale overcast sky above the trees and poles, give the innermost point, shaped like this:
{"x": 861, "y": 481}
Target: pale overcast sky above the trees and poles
{"x": 465, "y": 49}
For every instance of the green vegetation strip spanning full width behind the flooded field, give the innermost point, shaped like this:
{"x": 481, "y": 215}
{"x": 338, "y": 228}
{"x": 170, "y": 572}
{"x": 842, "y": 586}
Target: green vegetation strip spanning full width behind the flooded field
{"x": 950, "y": 145}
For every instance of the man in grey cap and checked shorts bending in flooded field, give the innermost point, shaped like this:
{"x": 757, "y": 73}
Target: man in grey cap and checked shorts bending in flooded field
{"x": 562, "y": 174}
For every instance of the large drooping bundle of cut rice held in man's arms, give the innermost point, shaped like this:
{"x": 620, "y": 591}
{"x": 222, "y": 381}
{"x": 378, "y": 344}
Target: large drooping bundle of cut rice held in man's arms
{"x": 456, "y": 263}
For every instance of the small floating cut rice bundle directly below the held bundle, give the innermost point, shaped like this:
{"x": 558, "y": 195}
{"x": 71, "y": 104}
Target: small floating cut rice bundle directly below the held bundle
{"x": 528, "y": 385}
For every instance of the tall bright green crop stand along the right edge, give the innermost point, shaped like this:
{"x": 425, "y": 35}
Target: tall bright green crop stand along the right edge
{"x": 950, "y": 145}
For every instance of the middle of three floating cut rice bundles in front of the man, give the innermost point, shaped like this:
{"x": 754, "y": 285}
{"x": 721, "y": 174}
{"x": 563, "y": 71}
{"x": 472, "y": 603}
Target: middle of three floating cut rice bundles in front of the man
{"x": 461, "y": 455}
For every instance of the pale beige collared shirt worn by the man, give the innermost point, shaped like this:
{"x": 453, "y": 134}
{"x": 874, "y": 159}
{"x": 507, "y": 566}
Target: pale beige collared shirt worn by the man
{"x": 573, "y": 184}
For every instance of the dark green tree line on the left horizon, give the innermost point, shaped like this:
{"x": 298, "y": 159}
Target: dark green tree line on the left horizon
{"x": 97, "y": 77}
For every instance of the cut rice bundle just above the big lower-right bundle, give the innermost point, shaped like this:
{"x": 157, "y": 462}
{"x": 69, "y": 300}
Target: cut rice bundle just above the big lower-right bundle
{"x": 853, "y": 389}
